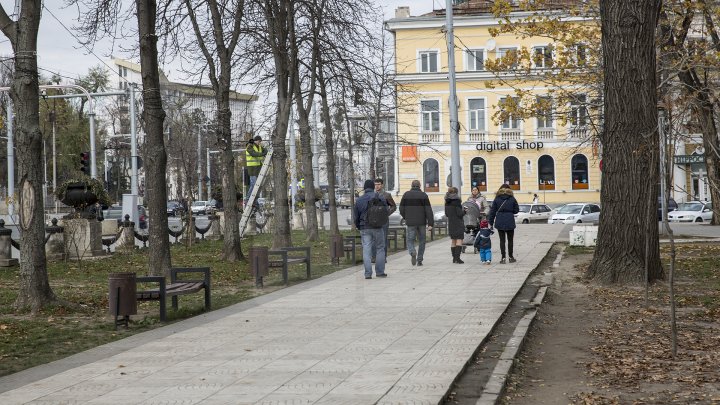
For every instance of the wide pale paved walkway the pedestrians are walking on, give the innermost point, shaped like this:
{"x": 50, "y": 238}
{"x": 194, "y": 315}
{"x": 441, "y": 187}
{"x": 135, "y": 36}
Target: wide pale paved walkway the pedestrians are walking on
{"x": 340, "y": 339}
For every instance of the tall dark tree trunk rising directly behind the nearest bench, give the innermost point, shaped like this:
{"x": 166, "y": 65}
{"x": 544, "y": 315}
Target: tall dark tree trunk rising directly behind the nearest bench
{"x": 153, "y": 115}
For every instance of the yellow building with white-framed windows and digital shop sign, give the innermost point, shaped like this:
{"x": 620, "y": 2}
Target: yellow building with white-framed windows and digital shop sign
{"x": 544, "y": 155}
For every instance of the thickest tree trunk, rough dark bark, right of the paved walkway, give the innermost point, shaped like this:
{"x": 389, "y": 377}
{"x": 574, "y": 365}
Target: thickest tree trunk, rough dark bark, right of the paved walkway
{"x": 630, "y": 145}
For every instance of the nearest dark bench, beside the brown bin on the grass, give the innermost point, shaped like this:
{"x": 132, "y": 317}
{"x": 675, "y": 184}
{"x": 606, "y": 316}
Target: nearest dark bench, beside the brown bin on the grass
{"x": 176, "y": 287}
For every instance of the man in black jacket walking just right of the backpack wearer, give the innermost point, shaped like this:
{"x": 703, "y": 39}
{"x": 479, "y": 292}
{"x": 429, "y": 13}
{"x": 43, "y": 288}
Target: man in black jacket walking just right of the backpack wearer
{"x": 416, "y": 210}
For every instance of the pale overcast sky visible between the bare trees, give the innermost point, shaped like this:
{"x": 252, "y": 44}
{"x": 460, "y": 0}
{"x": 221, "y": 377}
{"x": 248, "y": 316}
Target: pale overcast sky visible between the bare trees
{"x": 61, "y": 53}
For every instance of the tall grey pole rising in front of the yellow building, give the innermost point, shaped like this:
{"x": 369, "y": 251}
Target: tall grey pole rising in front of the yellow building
{"x": 452, "y": 100}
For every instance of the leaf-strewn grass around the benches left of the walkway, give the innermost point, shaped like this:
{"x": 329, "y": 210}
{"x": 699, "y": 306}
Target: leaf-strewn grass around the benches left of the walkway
{"x": 82, "y": 321}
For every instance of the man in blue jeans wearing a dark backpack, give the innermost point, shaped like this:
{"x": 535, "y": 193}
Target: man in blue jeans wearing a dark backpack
{"x": 371, "y": 233}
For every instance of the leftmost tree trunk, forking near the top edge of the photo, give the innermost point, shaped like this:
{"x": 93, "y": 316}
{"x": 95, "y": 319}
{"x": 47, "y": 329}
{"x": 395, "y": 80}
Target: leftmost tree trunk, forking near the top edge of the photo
{"x": 34, "y": 290}
